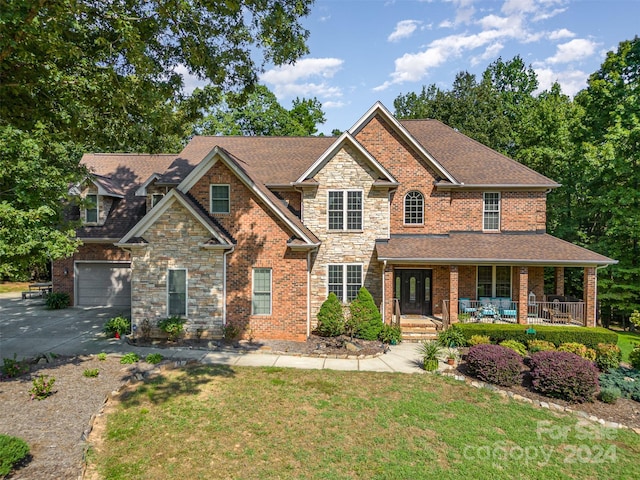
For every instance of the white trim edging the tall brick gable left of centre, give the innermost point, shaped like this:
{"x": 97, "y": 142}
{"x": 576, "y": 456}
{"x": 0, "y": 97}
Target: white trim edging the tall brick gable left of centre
{"x": 219, "y": 154}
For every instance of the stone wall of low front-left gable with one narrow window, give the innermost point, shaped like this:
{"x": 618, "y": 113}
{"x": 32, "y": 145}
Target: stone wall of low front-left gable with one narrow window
{"x": 173, "y": 242}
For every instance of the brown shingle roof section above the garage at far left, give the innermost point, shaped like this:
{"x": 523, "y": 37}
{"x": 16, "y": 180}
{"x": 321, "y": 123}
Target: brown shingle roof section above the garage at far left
{"x": 122, "y": 173}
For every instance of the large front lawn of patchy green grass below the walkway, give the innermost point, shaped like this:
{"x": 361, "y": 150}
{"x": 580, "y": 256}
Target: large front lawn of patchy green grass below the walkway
{"x": 222, "y": 422}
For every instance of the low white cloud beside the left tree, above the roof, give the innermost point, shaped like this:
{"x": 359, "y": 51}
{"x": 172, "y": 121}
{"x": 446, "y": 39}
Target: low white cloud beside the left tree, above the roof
{"x": 301, "y": 78}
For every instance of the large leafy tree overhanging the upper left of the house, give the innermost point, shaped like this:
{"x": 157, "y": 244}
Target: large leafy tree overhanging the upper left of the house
{"x": 80, "y": 75}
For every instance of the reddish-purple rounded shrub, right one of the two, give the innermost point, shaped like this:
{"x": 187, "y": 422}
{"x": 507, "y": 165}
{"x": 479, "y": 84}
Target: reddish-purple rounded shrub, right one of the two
{"x": 564, "y": 375}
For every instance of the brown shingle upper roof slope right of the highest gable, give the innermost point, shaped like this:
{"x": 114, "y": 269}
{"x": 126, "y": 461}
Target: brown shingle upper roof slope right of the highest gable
{"x": 471, "y": 162}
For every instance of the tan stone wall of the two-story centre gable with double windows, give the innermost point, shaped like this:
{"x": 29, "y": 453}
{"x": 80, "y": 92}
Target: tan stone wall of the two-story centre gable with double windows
{"x": 346, "y": 170}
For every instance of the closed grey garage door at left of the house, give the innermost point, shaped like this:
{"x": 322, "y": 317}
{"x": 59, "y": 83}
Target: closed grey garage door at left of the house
{"x": 103, "y": 284}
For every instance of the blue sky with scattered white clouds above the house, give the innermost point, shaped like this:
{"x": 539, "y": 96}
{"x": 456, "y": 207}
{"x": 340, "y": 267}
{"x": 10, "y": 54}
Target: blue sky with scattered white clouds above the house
{"x": 364, "y": 51}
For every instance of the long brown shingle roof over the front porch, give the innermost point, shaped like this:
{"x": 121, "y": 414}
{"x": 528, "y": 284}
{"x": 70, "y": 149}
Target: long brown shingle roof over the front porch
{"x": 487, "y": 248}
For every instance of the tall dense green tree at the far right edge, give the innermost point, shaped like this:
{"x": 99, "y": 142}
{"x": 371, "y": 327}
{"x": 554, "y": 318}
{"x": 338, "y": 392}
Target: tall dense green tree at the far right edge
{"x": 610, "y": 138}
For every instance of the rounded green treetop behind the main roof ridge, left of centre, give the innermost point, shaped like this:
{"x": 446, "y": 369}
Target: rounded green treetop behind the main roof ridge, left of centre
{"x": 260, "y": 114}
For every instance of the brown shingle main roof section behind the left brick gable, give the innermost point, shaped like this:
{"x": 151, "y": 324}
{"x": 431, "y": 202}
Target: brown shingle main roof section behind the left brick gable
{"x": 273, "y": 160}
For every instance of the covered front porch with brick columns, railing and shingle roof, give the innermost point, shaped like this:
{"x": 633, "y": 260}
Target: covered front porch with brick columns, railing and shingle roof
{"x": 475, "y": 277}
